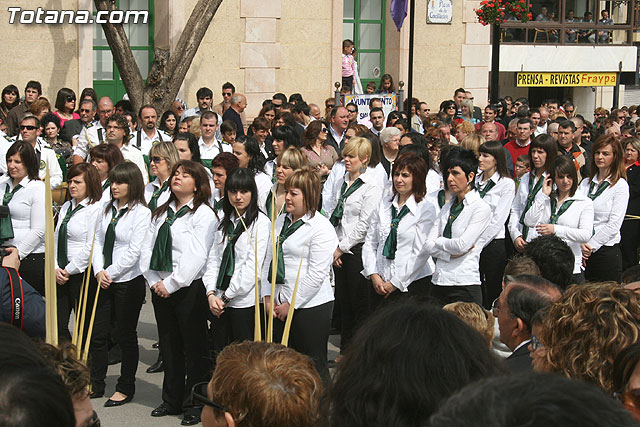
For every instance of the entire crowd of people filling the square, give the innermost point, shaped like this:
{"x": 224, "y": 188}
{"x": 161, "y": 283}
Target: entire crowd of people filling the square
{"x": 452, "y": 251}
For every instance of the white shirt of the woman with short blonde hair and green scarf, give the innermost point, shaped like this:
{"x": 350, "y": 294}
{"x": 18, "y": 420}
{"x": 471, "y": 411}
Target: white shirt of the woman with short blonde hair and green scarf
{"x": 358, "y": 209}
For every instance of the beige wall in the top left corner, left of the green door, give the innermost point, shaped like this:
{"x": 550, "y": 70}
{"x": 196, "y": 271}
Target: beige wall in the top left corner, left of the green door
{"x": 46, "y": 53}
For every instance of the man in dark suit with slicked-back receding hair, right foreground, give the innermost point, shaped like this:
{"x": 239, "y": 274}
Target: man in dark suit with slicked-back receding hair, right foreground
{"x": 514, "y": 308}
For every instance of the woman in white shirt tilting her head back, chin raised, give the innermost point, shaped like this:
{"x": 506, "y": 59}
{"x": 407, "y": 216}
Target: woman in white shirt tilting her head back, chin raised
{"x": 173, "y": 260}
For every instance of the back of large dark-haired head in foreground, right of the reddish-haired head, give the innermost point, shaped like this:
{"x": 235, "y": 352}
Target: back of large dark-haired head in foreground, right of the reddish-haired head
{"x": 409, "y": 389}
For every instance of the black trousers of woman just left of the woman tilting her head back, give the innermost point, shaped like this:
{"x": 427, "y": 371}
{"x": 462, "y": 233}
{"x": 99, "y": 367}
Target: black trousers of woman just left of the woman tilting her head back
{"x": 123, "y": 300}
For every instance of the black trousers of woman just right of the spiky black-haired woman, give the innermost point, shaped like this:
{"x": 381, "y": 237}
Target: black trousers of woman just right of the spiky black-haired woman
{"x": 493, "y": 260}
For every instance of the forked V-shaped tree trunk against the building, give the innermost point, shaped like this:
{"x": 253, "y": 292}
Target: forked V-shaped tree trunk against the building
{"x": 167, "y": 72}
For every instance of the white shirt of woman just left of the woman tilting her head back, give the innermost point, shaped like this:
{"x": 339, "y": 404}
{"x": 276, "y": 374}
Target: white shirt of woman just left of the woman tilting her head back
{"x": 131, "y": 231}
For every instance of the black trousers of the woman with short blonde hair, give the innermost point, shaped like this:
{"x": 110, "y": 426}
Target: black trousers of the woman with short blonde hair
{"x": 354, "y": 294}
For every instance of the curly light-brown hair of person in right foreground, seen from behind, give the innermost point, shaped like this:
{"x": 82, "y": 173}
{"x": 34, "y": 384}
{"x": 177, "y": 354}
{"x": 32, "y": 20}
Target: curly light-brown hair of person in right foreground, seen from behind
{"x": 587, "y": 328}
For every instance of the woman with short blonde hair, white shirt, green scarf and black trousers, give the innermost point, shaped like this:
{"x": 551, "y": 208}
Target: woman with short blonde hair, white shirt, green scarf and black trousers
{"x": 358, "y": 195}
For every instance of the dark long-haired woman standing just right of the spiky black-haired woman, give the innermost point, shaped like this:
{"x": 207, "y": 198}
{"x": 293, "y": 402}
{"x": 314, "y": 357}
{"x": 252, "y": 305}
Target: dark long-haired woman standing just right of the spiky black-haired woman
{"x": 498, "y": 190}
